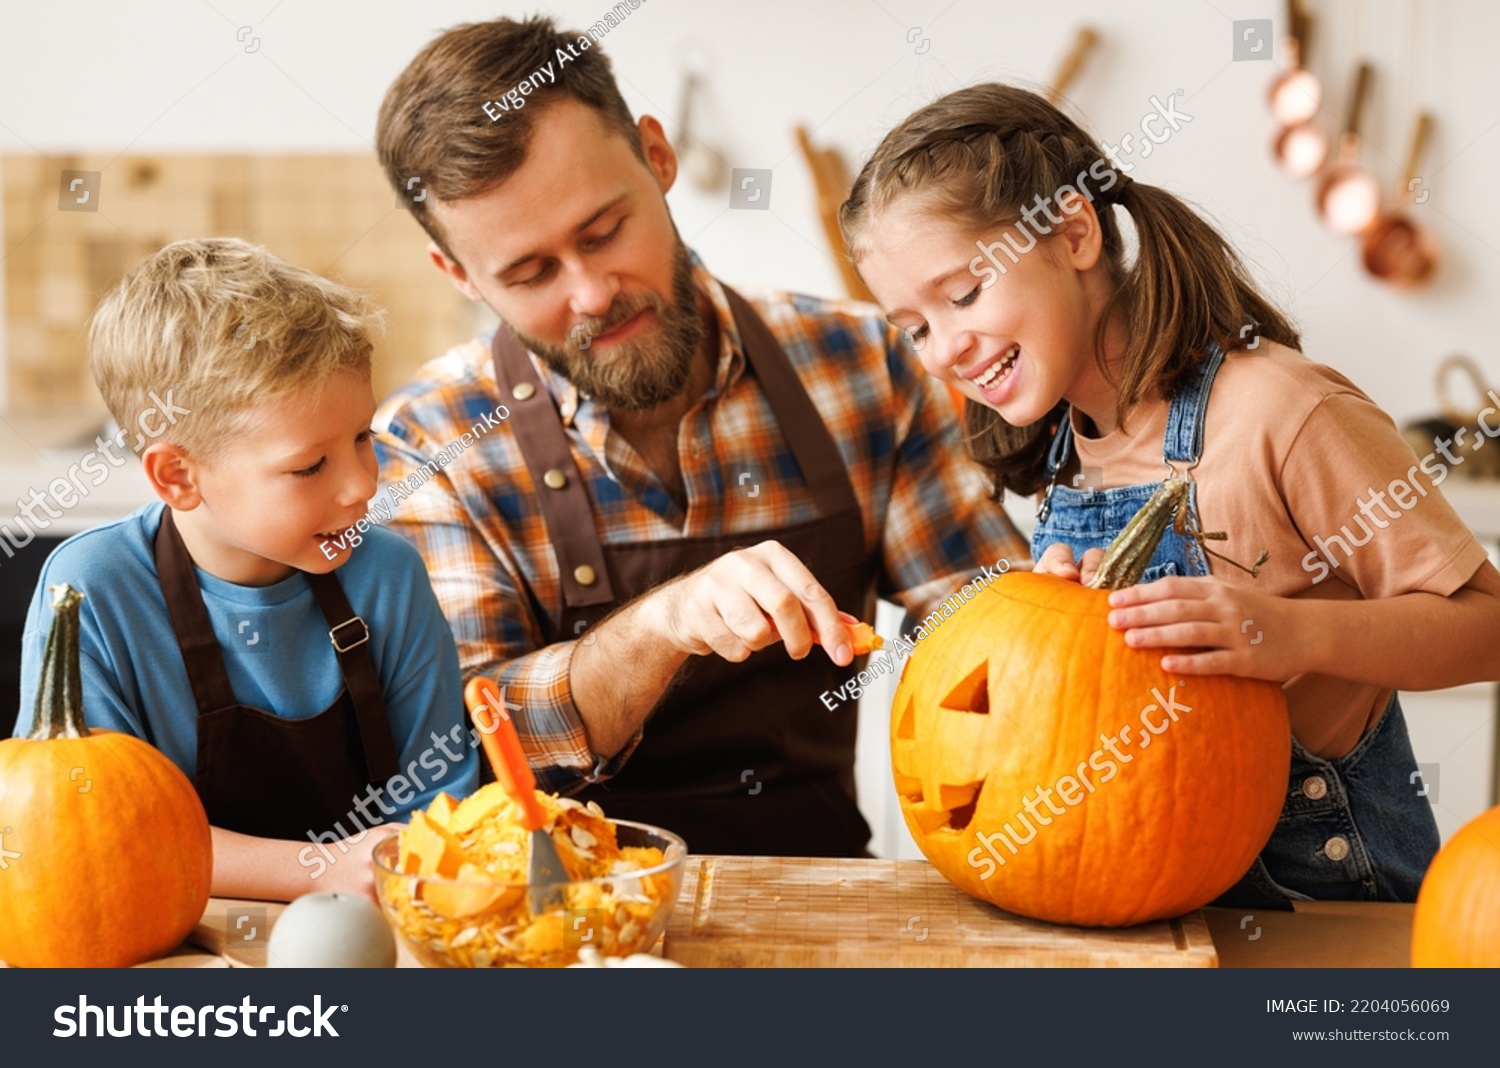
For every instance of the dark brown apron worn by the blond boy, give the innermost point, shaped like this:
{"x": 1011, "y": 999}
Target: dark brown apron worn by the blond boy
{"x": 259, "y": 773}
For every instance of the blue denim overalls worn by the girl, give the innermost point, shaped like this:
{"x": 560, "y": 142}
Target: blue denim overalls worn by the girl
{"x": 1352, "y": 829}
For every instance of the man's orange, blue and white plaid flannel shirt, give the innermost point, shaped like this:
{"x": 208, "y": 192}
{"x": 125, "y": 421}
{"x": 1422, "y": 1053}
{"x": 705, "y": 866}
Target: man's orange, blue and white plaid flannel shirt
{"x": 460, "y": 491}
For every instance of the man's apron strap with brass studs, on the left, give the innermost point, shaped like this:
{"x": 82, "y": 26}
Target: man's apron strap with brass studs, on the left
{"x": 568, "y": 512}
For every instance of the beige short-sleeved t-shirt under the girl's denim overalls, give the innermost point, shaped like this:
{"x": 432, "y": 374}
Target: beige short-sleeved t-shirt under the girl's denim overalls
{"x": 1291, "y": 452}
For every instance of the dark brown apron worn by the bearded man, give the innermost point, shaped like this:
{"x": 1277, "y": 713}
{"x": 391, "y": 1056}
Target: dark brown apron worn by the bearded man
{"x": 739, "y": 758}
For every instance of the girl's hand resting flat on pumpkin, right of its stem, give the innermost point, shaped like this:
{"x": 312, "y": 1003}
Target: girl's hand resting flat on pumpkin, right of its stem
{"x": 1213, "y": 628}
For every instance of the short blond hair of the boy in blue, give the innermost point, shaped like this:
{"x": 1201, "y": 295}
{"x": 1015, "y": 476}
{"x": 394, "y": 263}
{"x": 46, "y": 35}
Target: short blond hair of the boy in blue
{"x": 226, "y": 326}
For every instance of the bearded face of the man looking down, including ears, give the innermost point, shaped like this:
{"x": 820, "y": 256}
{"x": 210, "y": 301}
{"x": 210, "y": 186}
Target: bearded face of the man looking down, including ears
{"x": 578, "y": 254}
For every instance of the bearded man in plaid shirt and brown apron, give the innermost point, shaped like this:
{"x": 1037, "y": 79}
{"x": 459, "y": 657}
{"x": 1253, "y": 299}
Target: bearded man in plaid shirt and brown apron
{"x": 646, "y": 499}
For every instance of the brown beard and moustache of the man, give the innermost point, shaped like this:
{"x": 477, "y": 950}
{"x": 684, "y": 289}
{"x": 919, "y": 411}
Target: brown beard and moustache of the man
{"x": 637, "y": 374}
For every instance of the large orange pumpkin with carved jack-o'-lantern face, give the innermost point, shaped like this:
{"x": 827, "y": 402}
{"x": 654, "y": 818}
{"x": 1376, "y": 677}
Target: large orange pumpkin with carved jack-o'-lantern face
{"x": 1048, "y": 767}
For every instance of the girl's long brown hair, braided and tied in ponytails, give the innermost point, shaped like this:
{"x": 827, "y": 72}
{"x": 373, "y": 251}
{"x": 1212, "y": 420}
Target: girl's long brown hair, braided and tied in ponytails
{"x": 986, "y": 152}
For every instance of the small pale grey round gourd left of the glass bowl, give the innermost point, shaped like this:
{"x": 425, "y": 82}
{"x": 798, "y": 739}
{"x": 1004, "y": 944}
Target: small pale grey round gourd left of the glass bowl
{"x": 332, "y": 931}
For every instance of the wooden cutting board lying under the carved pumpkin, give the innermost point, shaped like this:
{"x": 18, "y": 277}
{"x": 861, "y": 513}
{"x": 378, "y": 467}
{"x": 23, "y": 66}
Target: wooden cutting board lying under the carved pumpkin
{"x": 808, "y": 913}
